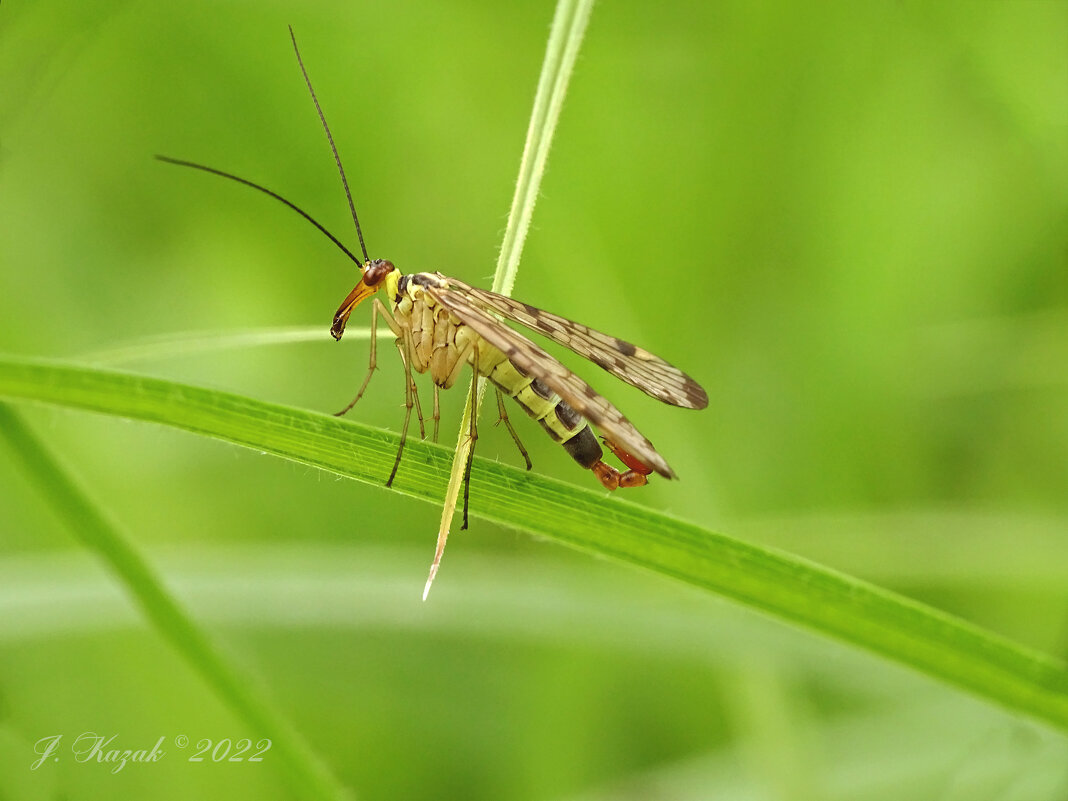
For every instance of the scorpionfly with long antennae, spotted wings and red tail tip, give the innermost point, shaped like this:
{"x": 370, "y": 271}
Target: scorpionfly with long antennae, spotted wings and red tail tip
{"x": 444, "y": 325}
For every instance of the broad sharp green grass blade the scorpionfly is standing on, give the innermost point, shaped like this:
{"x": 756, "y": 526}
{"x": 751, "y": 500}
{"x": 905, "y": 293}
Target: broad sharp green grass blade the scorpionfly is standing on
{"x": 792, "y": 589}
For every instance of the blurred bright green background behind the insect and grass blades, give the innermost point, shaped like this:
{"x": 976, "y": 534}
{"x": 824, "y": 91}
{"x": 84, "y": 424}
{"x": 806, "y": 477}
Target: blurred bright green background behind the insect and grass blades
{"x": 850, "y": 223}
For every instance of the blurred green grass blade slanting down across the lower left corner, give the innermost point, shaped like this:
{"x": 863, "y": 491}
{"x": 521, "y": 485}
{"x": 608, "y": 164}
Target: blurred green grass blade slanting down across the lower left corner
{"x": 307, "y": 775}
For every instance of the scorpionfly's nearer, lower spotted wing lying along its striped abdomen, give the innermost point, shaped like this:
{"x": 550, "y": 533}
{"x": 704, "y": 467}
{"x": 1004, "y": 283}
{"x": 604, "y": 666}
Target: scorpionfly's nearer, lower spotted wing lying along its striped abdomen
{"x": 537, "y": 363}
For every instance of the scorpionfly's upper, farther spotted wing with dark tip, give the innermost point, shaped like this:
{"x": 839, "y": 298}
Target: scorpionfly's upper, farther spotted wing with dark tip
{"x": 627, "y": 363}
